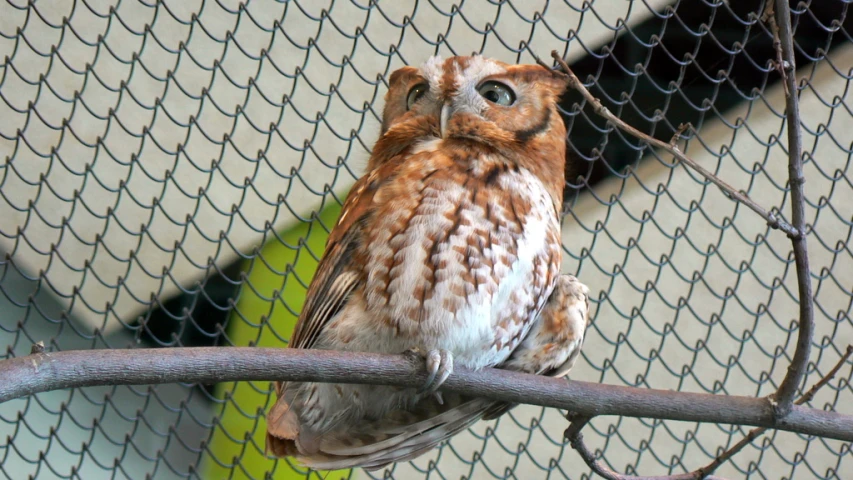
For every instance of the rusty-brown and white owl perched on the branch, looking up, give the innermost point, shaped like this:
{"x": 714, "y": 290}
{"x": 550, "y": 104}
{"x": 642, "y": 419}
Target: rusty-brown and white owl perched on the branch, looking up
{"x": 449, "y": 250}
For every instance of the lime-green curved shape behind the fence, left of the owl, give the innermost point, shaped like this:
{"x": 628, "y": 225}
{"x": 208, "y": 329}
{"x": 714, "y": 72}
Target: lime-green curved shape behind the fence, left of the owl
{"x": 266, "y": 312}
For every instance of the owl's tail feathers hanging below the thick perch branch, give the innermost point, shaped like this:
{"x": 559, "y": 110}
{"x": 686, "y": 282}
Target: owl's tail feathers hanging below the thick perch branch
{"x": 398, "y": 436}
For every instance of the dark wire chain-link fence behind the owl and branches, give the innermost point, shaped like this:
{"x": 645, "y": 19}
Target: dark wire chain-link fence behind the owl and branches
{"x": 170, "y": 171}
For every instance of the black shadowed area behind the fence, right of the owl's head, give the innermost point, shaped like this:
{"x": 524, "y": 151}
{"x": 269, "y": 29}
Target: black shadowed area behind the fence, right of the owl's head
{"x": 690, "y": 64}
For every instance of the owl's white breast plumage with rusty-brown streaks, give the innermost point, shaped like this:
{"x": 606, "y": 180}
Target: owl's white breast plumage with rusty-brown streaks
{"x": 455, "y": 263}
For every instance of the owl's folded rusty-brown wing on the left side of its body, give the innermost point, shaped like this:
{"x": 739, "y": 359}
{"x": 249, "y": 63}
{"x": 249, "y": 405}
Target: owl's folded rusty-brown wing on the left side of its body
{"x": 336, "y": 275}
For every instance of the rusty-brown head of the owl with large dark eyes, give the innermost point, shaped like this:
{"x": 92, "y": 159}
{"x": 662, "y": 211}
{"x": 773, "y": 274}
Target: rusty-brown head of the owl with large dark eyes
{"x": 509, "y": 108}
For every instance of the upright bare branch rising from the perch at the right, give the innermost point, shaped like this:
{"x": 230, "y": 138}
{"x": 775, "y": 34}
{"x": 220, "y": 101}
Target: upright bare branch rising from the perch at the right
{"x": 784, "y": 39}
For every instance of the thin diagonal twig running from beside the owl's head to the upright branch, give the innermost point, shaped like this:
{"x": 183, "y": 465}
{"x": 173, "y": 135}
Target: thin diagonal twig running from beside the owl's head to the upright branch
{"x": 772, "y": 220}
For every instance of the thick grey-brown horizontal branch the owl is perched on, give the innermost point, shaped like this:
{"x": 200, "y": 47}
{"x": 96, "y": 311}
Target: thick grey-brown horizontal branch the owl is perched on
{"x": 79, "y": 368}
